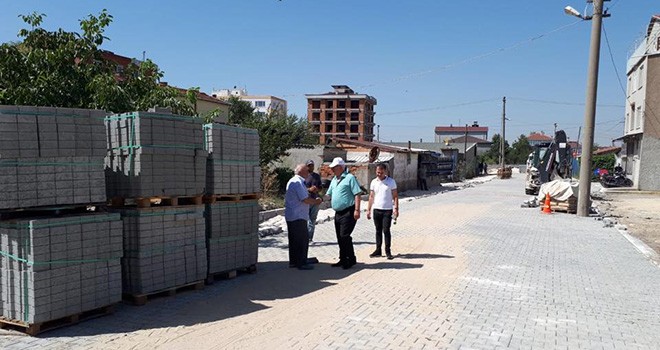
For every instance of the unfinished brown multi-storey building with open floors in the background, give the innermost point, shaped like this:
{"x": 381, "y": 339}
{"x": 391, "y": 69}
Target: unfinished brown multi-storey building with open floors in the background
{"x": 341, "y": 113}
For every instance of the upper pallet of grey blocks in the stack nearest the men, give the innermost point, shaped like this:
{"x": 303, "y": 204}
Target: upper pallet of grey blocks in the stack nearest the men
{"x": 233, "y": 162}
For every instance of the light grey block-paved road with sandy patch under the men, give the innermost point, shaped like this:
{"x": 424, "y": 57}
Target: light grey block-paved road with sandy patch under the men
{"x": 473, "y": 271}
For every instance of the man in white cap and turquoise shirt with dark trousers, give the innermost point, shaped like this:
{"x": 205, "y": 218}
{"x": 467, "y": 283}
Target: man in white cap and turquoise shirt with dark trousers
{"x": 345, "y": 192}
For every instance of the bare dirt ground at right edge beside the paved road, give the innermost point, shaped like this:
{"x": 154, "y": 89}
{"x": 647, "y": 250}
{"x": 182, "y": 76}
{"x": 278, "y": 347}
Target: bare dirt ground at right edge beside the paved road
{"x": 640, "y": 212}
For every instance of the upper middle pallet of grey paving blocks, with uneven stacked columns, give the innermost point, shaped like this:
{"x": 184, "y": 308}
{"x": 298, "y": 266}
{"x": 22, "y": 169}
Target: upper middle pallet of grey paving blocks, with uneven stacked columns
{"x": 154, "y": 155}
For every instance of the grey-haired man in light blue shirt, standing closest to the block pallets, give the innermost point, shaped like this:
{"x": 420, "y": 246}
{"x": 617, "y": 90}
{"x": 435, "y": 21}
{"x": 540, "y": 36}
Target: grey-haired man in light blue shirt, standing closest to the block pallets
{"x": 296, "y": 213}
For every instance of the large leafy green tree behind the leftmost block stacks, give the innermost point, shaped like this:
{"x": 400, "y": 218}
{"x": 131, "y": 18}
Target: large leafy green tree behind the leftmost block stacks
{"x": 67, "y": 69}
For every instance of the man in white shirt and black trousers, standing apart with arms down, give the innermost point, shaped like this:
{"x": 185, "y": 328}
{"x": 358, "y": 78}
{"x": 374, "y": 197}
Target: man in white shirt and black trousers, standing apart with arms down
{"x": 384, "y": 199}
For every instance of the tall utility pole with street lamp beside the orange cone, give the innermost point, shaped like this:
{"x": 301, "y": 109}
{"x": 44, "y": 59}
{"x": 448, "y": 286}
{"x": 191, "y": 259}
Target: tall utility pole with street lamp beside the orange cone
{"x": 584, "y": 196}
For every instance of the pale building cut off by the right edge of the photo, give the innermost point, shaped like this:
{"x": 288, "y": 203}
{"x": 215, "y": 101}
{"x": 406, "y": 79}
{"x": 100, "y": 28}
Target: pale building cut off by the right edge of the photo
{"x": 641, "y": 136}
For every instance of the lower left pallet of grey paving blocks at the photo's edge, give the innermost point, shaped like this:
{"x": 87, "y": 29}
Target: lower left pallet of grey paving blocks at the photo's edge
{"x": 60, "y": 270}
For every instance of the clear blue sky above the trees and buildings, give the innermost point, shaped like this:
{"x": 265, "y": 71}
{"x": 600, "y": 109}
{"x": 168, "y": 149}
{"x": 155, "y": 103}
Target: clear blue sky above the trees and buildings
{"x": 427, "y": 62}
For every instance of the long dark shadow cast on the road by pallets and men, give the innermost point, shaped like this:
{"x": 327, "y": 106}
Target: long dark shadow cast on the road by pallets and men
{"x": 224, "y": 299}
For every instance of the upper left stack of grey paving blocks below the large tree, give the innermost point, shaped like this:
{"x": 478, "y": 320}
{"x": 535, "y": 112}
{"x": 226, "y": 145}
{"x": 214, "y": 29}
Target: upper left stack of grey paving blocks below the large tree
{"x": 51, "y": 156}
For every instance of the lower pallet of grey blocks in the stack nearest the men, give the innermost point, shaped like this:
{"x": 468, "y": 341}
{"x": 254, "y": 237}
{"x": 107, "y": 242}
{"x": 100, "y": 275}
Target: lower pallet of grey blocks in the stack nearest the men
{"x": 232, "y": 237}
